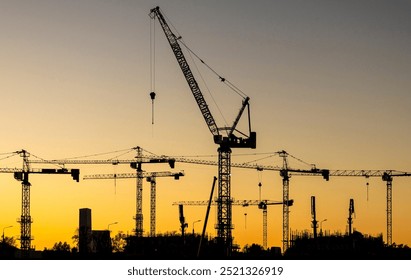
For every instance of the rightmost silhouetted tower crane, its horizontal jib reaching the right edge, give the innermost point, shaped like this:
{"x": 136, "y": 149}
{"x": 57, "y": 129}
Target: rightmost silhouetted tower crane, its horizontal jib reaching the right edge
{"x": 386, "y": 176}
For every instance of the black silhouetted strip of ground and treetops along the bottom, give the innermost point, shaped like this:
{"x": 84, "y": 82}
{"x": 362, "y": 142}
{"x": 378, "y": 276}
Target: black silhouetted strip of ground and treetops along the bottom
{"x": 173, "y": 246}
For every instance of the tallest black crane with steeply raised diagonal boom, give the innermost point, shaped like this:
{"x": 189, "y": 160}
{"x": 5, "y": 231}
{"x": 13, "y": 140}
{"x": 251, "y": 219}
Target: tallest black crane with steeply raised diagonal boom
{"x": 224, "y": 225}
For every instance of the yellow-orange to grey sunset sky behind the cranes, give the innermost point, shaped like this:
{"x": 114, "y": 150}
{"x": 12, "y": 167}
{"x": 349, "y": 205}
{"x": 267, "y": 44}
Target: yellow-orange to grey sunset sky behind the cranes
{"x": 329, "y": 82}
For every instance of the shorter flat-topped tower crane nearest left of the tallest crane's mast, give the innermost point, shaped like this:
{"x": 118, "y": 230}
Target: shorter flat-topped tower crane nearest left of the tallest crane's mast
{"x": 150, "y": 177}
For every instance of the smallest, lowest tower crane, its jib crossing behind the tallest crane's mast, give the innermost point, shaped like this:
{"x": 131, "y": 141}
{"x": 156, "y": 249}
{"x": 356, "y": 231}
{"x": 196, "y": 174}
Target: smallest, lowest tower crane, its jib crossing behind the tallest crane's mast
{"x": 262, "y": 204}
